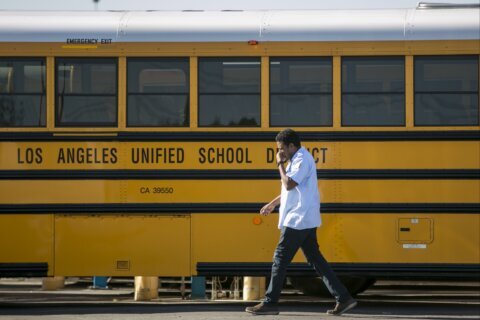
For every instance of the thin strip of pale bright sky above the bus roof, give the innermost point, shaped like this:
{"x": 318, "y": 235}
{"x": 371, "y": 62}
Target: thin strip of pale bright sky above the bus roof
{"x": 210, "y": 4}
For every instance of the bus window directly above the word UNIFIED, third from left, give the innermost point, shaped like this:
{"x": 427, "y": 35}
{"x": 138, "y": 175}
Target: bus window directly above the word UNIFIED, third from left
{"x": 158, "y": 91}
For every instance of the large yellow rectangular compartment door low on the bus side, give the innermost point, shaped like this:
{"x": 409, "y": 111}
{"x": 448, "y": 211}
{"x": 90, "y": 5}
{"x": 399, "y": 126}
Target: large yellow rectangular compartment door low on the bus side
{"x": 122, "y": 245}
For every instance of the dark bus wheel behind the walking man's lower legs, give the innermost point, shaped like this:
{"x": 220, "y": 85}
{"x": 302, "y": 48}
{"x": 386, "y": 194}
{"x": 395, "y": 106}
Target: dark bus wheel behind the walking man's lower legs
{"x": 316, "y": 287}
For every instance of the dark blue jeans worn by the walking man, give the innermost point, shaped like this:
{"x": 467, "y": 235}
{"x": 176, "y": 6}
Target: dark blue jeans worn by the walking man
{"x": 290, "y": 241}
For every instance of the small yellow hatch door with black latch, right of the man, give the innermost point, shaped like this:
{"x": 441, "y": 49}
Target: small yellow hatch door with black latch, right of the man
{"x": 415, "y": 230}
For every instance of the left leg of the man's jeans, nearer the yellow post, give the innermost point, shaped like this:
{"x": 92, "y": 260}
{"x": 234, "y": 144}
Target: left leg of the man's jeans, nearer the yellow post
{"x": 288, "y": 245}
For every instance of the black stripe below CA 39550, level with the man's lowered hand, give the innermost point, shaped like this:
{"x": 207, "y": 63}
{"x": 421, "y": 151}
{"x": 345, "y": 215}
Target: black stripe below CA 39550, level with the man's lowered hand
{"x": 187, "y": 208}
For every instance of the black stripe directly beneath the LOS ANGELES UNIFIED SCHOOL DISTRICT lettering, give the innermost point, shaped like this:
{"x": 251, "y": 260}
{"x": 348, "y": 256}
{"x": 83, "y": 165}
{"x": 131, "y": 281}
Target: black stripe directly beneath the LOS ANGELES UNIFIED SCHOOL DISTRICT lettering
{"x": 253, "y": 174}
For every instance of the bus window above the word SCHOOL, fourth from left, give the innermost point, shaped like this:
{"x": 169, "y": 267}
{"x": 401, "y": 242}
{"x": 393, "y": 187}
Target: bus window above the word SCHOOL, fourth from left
{"x": 229, "y": 92}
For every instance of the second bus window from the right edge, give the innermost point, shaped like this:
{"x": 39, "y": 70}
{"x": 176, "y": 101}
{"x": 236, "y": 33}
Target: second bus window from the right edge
{"x": 373, "y": 91}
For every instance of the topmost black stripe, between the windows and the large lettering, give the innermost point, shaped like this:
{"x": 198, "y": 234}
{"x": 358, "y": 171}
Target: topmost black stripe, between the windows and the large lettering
{"x": 269, "y": 136}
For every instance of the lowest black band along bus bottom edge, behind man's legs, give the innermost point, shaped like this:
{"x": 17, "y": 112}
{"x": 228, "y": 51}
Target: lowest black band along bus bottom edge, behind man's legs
{"x": 373, "y": 270}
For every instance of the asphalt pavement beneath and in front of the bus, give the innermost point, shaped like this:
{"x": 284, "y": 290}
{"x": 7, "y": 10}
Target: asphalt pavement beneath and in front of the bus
{"x": 24, "y": 299}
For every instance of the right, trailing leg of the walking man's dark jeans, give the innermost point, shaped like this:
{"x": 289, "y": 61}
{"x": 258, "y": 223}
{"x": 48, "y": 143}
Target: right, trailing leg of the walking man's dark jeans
{"x": 315, "y": 258}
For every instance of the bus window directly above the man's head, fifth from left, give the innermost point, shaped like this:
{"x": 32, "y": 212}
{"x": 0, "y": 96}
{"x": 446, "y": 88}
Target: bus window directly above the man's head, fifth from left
{"x": 300, "y": 92}
